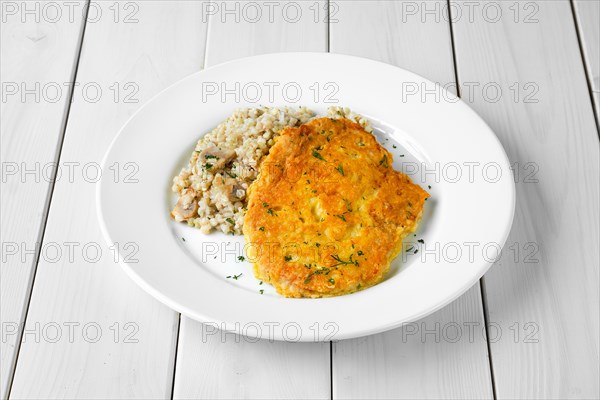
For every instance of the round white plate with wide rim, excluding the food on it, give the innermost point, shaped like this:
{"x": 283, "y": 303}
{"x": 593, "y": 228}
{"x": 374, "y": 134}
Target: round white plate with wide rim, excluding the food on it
{"x": 466, "y": 221}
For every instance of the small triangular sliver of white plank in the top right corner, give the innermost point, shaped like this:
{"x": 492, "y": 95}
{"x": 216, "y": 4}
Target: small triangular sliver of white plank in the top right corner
{"x": 587, "y": 13}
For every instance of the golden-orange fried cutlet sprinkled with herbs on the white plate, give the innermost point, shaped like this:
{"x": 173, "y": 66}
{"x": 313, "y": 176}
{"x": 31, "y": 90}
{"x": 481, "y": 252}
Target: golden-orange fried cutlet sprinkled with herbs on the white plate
{"x": 328, "y": 212}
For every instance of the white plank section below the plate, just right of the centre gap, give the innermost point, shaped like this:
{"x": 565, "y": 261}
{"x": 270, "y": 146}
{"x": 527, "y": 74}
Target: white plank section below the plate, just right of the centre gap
{"x": 442, "y": 356}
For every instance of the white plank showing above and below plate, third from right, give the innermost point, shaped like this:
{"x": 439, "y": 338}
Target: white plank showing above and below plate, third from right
{"x": 420, "y": 360}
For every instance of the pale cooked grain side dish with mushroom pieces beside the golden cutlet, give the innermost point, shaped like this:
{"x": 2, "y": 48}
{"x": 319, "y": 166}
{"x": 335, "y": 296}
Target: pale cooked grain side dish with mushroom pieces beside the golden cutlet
{"x": 212, "y": 187}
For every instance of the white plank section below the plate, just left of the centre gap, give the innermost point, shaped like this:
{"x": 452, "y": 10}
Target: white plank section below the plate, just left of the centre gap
{"x": 217, "y": 365}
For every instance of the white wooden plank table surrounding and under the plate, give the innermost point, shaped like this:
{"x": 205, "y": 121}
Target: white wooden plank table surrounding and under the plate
{"x": 74, "y": 326}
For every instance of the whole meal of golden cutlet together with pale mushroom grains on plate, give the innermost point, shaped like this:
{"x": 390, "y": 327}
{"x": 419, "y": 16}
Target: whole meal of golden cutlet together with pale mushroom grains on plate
{"x": 322, "y": 210}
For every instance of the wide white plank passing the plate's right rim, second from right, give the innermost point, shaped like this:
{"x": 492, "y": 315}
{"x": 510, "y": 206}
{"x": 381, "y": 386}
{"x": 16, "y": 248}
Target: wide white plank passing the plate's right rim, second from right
{"x": 544, "y": 294}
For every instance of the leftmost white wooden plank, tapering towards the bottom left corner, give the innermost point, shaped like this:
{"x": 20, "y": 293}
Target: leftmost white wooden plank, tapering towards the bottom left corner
{"x": 38, "y": 56}
